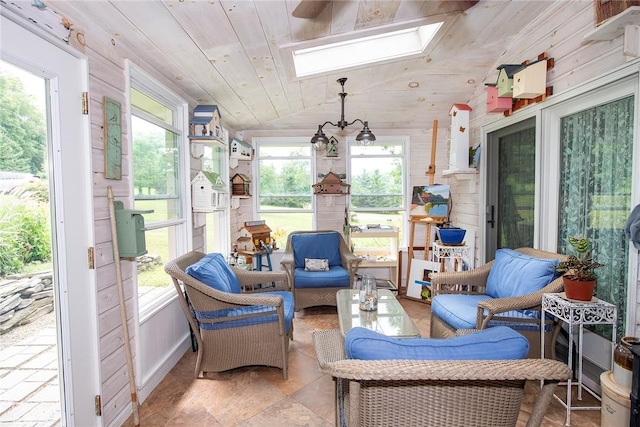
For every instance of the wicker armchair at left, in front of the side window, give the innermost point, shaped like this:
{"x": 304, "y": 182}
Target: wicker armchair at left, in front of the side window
{"x": 254, "y": 342}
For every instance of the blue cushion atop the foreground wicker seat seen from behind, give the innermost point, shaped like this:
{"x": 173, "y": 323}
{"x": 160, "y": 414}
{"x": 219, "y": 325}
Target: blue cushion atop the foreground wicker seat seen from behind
{"x": 499, "y": 343}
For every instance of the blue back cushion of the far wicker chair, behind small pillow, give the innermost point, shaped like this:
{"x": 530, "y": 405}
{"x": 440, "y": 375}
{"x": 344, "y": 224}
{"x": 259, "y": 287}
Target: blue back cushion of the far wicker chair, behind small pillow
{"x": 316, "y": 245}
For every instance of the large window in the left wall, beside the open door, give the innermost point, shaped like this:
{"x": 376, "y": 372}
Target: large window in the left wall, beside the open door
{"x": 157, "y": 123}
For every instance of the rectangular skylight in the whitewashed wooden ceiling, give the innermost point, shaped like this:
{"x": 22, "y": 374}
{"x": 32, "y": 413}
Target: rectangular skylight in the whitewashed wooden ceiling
{"x": 363, "y": 51}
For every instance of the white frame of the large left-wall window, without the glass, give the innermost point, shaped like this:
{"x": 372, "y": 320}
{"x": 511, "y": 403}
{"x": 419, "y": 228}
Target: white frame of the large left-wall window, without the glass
{"x": 143, "y": 82}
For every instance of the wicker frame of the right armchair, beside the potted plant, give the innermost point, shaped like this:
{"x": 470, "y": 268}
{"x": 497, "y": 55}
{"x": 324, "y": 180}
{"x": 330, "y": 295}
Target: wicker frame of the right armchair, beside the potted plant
{"x": 498, "y": 310}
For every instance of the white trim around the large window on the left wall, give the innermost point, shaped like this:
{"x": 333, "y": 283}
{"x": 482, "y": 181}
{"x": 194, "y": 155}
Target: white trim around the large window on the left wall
{"x": 145, "y": 83}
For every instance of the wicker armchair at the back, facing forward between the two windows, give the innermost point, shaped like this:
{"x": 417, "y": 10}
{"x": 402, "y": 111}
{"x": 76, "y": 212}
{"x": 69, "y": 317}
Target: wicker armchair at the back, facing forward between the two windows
{"x": 320, "y": 293}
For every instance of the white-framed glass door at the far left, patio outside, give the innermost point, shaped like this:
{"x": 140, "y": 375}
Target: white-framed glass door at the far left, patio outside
{"x": 58, "y": 159}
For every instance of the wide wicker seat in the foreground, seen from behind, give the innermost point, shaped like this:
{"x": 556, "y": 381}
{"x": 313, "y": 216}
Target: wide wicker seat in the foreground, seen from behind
{"x": 433, "y": 393}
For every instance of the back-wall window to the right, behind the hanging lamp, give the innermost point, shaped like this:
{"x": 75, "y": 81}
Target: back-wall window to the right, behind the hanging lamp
{"x": 377, "y": 178}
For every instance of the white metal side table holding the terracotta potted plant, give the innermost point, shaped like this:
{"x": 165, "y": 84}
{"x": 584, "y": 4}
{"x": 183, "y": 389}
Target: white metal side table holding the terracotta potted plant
{"x": 577, "y": 313}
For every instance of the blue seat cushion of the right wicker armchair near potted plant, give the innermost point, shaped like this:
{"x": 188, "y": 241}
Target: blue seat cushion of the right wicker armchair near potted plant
{"x": 460, "y": 312}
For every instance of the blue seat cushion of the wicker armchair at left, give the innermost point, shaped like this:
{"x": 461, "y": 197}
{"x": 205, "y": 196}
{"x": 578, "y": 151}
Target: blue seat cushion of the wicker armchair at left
{"x": 288, "y": 305}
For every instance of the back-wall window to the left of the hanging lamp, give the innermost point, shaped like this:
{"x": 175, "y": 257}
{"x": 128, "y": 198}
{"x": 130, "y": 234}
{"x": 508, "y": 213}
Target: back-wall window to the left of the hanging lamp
{"x": 284, "y": 194}
